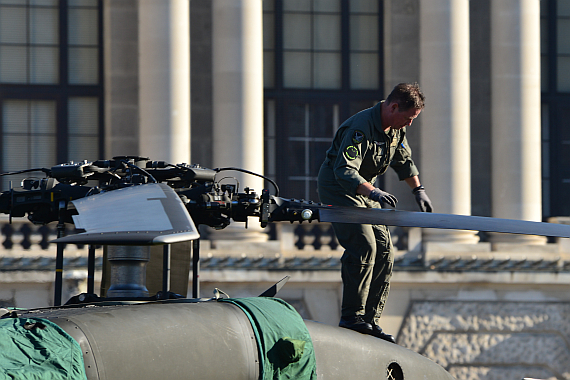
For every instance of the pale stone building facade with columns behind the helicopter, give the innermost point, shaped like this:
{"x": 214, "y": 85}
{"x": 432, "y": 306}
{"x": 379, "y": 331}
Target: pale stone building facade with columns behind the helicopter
{"x": 183, "y": 82}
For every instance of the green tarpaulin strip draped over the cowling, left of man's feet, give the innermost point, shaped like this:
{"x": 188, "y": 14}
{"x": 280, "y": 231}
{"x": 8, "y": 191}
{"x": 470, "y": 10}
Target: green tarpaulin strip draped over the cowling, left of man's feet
{"x": 284, "y": 343}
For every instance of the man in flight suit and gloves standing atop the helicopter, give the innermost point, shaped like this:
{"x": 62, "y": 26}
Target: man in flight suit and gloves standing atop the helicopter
{"x": 363, "y": 147}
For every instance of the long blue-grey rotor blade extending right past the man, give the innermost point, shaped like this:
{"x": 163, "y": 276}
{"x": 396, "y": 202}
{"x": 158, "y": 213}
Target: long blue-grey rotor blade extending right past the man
{"x": 388, "y": 217}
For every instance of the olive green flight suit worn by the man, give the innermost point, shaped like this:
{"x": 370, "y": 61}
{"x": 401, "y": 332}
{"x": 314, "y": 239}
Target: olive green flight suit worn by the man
{"x": 360, "y": 151}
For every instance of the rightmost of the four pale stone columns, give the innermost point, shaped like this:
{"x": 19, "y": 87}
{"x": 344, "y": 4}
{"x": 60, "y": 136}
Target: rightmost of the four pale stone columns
{"x": 515, "y": 96}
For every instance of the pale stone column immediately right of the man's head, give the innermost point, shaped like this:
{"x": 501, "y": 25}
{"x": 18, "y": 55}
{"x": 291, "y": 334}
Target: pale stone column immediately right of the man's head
{"x": 444, "y": 79}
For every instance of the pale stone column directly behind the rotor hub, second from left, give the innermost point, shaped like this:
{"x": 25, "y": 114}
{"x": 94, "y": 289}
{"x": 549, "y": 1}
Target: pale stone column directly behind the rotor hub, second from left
{"x": 237, "y": 28}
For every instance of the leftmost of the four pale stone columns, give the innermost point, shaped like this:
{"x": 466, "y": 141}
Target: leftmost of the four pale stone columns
{"x": 164, "y": 72}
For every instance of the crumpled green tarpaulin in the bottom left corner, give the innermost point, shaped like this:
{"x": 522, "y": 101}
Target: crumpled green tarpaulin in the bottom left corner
{"x": 33, "y": 348}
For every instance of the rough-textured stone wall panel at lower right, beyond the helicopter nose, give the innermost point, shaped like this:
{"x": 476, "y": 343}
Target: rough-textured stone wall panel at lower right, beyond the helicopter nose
{"x": 491, "y": 340}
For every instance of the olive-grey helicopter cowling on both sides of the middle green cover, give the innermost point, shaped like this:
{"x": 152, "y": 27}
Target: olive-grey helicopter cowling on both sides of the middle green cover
{"x": 205, "y": 339}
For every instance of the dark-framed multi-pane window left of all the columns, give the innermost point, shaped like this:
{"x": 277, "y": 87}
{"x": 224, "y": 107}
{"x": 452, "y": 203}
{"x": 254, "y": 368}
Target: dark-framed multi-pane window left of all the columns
{"x": 50, "y": 83}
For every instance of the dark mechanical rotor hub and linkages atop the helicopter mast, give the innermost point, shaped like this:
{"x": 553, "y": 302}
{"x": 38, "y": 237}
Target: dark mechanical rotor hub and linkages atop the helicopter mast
{"x": 207, "y": 200}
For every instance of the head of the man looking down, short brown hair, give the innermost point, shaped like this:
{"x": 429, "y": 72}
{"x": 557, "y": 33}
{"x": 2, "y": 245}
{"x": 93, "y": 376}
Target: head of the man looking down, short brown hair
{"x": 402, "y": 106}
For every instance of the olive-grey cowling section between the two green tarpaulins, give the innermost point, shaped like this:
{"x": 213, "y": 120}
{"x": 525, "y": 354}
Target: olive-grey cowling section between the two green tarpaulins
{"x": 200, "y": 340}
